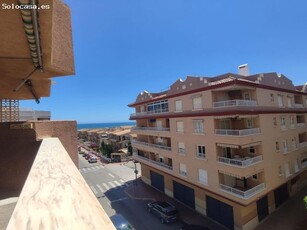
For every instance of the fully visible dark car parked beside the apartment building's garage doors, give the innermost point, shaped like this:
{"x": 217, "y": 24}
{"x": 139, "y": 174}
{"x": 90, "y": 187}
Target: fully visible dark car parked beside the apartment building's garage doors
{"x": 166, "y": 212}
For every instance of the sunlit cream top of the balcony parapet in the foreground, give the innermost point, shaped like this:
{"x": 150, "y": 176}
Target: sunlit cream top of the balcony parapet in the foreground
{"x": 56, "y": 195}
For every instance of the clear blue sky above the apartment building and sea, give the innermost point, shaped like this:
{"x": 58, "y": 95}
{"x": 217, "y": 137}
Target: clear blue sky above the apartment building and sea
{"x": 123, "y": 47}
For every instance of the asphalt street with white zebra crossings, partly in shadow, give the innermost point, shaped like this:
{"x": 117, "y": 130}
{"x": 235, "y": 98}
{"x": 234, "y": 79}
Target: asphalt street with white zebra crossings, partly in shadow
{"x": 108, "y": 183}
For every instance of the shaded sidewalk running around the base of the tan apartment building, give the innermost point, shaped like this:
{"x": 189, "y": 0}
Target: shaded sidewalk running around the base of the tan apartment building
{"x": 290, "y": 216}
